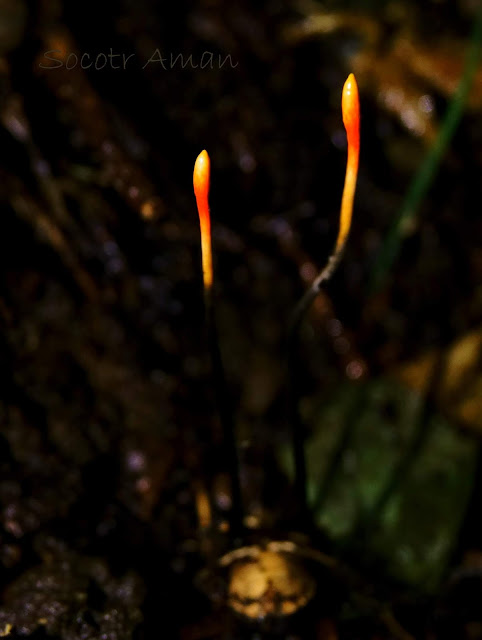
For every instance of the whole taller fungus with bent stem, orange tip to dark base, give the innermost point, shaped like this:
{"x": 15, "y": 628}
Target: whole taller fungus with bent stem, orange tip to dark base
{"x": 350, "y": 107}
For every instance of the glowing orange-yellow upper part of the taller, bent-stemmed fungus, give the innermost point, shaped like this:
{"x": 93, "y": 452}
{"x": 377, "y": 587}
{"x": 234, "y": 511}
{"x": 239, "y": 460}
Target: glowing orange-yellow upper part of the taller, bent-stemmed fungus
{"x": 350, "y": 107}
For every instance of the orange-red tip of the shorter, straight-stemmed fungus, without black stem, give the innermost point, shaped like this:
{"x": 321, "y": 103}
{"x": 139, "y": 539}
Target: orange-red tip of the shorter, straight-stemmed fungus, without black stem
{"x": 201, "y": 177}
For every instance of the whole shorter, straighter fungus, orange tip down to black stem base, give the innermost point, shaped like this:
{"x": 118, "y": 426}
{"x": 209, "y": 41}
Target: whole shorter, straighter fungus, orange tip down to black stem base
{"x": 201, "y": 178}
